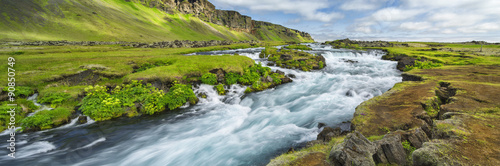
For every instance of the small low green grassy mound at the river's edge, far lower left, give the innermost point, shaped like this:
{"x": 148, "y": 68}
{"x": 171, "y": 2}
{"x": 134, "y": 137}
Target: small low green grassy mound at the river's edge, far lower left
{"x": 47, "y": 119}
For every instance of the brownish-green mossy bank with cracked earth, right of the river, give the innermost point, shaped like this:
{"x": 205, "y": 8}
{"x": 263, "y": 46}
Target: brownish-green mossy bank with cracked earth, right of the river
{"x": 457, "y": 97}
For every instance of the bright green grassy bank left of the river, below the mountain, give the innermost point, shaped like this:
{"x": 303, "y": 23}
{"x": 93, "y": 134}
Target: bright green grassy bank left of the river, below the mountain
{"x": 65, "y": 75}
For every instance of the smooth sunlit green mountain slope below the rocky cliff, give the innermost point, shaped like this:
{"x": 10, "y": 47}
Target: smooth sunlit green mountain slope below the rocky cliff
{"x": 119, "y": 20}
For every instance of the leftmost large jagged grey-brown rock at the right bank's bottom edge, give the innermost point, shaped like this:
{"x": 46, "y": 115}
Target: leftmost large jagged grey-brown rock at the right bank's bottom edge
{"x": 355, "y": 150}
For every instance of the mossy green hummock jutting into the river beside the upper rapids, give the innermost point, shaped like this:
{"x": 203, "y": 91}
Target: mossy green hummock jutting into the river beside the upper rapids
{"x": 293, "y": 59}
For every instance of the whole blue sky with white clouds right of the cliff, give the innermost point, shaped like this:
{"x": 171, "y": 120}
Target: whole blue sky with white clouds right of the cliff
{"x": 394, "y": 20}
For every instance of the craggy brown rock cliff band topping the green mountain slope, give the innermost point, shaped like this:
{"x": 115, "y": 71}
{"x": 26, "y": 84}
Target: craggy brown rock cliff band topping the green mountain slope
{"x": 232, "y": 19}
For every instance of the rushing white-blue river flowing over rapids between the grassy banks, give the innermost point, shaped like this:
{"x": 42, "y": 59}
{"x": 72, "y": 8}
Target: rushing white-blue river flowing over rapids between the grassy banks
{"x": 234, "y": 129}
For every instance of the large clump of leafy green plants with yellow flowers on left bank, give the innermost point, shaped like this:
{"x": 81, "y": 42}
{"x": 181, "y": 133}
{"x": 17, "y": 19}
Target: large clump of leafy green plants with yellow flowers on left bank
{"x": 101, "y": 105}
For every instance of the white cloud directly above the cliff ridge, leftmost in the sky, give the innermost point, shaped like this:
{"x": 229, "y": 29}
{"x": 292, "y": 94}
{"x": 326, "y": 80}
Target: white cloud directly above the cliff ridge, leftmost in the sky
{"x": 308, "y": 10}
